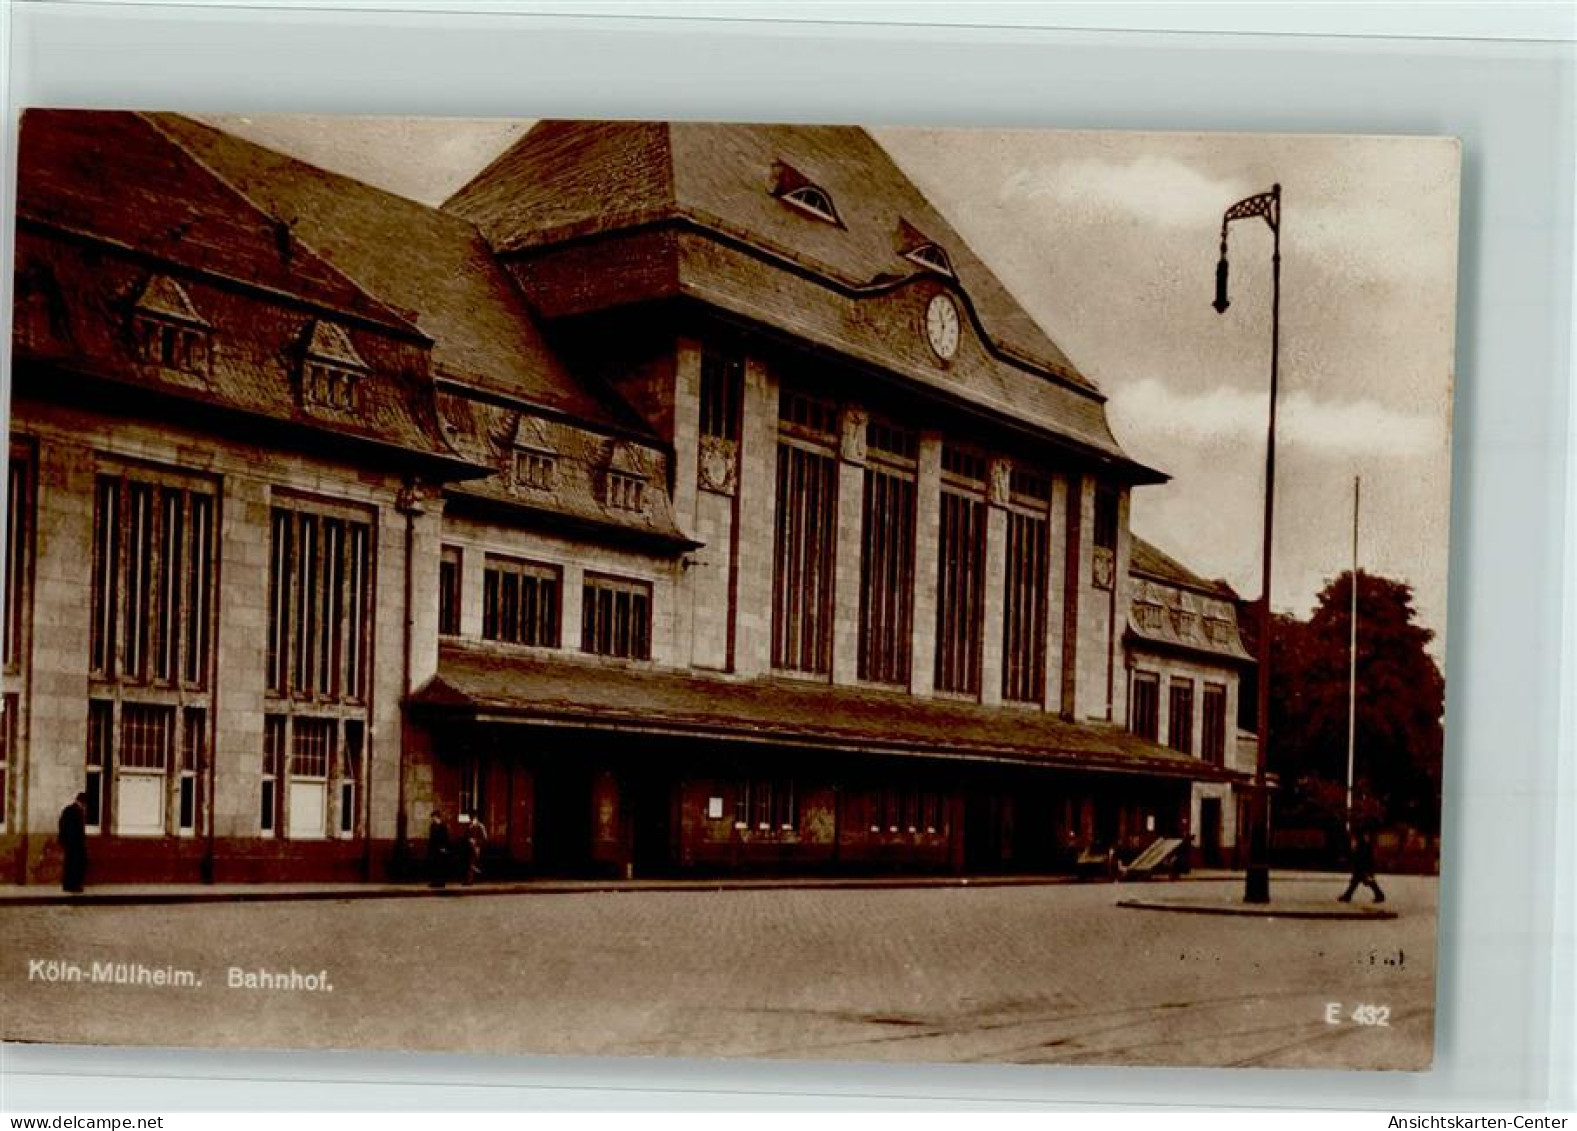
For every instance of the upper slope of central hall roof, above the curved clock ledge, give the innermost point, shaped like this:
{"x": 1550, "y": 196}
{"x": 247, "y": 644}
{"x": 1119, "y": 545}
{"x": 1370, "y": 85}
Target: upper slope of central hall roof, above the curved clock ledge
{"x": 583, "y": 177}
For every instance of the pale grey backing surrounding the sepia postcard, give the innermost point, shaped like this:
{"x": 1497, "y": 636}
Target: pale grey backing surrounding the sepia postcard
{"x": 1501, "y": 78}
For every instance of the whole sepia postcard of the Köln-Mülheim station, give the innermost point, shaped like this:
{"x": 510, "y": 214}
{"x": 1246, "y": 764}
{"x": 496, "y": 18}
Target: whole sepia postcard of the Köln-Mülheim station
{"x": 680, "y": 589}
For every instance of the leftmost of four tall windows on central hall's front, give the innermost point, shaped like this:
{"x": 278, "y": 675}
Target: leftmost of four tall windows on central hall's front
{"x": 807, "y": 537}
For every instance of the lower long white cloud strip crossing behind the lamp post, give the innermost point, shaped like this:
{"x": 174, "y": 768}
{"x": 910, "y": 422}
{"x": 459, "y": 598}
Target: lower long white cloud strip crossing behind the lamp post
{"x": 1231, "y": 416}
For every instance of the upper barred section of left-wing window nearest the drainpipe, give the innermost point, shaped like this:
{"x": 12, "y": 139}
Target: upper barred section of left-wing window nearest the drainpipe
{"x": 319, "y": 600}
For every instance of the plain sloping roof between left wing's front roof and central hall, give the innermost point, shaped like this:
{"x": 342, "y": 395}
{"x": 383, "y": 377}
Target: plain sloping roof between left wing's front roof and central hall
{"x": 430, "y": 264}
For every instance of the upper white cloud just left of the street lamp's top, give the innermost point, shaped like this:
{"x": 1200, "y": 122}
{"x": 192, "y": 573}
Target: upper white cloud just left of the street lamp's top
{"x": 1157, "y": 190}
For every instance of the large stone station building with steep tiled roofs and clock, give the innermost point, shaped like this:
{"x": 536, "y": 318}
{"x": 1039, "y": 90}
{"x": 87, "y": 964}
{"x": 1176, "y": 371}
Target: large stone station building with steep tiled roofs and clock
{"x": 677, "y": 498}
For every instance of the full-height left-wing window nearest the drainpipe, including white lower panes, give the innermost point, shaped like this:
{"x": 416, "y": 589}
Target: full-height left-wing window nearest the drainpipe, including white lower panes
{"x": 319, "y": 644}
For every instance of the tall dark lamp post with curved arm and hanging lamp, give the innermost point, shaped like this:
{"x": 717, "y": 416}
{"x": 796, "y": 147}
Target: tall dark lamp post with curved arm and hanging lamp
{"x": 1267, "y": 206}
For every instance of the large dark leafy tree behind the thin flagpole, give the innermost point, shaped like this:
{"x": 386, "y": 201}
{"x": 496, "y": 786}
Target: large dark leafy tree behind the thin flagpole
{"x": 1401, "y": 703}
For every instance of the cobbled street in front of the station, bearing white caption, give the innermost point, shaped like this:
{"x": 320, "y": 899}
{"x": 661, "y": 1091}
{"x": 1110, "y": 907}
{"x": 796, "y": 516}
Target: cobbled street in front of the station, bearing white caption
{"x": 1018, "y": 974}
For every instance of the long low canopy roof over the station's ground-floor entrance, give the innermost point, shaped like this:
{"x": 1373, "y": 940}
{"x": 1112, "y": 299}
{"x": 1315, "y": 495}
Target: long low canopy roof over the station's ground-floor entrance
{"x": 479, "y": 682}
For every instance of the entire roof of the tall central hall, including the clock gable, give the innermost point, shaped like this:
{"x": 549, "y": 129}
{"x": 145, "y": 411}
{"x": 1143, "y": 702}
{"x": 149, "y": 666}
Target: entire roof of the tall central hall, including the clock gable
{"x": 742, "y": 250}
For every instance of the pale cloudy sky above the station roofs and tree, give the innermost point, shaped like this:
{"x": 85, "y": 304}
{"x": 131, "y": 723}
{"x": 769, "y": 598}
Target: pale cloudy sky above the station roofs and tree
{"x": 1109, "y": 241}
